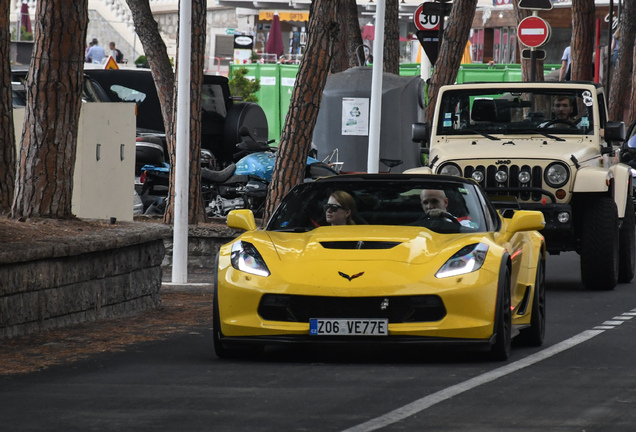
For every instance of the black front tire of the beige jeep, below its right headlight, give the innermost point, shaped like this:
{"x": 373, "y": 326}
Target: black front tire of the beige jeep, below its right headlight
{"x": 599, "y": 244}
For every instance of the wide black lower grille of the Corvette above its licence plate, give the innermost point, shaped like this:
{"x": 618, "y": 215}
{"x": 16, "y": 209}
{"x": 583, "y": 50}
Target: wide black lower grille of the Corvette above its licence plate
{"x": 398, "y": 309}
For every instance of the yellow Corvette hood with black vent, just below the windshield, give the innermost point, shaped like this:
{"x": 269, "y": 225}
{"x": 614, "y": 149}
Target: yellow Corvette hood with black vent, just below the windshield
{"x": 409, "y": 245}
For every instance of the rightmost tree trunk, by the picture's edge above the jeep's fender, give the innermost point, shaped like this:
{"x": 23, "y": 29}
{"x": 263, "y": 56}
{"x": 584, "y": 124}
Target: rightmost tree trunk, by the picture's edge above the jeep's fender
{"x": 620, "y": 88}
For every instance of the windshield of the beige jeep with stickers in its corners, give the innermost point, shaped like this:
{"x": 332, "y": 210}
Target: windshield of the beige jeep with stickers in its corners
{"x": 551, "y": 112}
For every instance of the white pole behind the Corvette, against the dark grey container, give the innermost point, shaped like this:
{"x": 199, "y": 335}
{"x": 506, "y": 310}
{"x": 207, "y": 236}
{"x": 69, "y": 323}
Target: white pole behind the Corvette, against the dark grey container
{"x": 375, "y": 115}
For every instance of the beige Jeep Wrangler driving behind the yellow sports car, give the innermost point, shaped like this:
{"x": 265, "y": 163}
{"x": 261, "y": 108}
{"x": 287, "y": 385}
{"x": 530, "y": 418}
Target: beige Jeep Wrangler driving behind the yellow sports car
{"x": 550, "y": 146}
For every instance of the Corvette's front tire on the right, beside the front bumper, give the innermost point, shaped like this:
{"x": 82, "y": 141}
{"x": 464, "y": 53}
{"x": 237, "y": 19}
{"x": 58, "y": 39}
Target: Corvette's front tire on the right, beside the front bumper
{"x": 503, "y": 326}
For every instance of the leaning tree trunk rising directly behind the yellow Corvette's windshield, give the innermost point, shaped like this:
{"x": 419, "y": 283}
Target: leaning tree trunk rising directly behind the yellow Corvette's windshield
{"x": 297, "y": 133}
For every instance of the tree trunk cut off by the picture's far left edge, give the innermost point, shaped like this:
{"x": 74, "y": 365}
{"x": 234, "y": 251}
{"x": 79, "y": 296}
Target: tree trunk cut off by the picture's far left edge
{"x": 7, "y": 135}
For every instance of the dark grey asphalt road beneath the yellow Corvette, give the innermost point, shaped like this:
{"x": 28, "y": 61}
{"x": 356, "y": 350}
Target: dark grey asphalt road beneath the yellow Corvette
{"x": 582, "y": 379}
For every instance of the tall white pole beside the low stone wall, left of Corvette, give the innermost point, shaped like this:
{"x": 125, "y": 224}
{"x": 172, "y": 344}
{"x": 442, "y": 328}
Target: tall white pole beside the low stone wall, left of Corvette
{"x": 180, "y": 239}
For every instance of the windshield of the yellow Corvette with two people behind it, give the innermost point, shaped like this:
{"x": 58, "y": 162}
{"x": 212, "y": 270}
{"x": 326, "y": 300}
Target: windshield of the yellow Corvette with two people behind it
{"x": 386, "y": 202}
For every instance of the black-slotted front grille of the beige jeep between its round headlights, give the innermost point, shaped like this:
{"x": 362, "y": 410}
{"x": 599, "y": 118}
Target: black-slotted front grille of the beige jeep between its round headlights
{"x": 512, "y": 171}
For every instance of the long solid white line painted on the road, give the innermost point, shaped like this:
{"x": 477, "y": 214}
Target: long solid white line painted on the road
{"x": 442, "y": 395}
